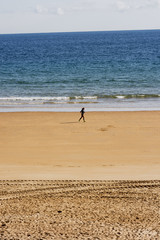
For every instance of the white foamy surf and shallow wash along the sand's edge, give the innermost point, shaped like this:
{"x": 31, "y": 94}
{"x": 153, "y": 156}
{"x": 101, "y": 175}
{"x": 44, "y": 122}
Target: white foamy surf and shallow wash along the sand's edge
{"x": 112, "y": 105}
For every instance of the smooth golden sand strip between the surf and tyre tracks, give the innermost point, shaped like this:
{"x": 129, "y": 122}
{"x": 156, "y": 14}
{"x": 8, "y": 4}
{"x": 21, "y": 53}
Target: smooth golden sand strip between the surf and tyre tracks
{"x": 109, "y": 145}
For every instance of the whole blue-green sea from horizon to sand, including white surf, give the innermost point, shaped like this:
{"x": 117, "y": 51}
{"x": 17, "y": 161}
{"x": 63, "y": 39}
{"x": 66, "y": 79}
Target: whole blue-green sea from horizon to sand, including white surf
{"x": 117, "y": 70}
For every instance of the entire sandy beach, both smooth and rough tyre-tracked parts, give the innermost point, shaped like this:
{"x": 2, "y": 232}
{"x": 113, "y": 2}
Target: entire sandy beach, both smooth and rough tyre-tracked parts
{"x": 110, "y": 145}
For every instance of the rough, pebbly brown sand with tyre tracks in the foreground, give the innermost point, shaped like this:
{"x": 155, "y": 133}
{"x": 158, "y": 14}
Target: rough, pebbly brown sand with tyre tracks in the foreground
{"x": 88, "y": 210}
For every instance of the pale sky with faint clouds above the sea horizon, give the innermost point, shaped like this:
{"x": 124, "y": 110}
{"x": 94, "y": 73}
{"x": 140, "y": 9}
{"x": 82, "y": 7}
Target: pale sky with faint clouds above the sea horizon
{"x": 37, "y": 16}
